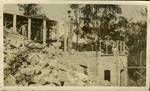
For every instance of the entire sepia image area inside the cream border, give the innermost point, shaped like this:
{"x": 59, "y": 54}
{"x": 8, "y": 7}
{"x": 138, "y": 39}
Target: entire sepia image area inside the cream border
{"x": 74, "y": 45}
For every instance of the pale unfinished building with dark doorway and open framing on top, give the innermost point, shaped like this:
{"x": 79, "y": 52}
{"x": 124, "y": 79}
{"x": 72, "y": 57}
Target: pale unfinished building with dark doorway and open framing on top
{"x": 108, "y": 66}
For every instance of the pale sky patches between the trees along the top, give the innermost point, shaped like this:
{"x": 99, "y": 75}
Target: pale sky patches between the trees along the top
{"x": 58, "y": 11}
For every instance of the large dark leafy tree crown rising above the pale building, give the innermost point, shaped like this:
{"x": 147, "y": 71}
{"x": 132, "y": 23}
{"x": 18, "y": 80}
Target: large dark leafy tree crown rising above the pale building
{"x": 102, "y": 18}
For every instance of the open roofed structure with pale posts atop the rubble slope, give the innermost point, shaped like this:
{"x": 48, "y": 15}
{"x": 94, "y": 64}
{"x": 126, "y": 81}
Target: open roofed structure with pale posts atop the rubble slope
{"x": 34, "y": 23}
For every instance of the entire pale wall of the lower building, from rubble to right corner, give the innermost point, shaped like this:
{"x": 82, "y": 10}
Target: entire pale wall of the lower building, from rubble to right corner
{"x": 97, "y": 66}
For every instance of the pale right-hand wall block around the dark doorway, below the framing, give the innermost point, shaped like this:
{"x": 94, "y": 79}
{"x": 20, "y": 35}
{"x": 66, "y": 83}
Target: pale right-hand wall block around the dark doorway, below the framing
{"x": 110, "y": 63}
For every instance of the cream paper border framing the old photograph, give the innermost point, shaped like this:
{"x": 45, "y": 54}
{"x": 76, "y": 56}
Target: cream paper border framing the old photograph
{"x": 74, "y": 88}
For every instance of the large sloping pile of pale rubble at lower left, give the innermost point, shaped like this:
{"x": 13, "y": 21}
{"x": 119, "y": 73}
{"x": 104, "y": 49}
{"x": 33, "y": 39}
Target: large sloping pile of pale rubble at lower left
{"x": 28, "y": 63}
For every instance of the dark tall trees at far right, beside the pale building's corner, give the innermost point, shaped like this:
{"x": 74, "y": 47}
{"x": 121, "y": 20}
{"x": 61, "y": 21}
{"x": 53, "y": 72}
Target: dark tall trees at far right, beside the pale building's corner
{"x": 136, "y": 42}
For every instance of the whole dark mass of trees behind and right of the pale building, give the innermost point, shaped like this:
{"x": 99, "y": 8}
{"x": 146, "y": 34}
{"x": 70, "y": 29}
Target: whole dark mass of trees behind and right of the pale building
{"x": 105, "y": 22}
